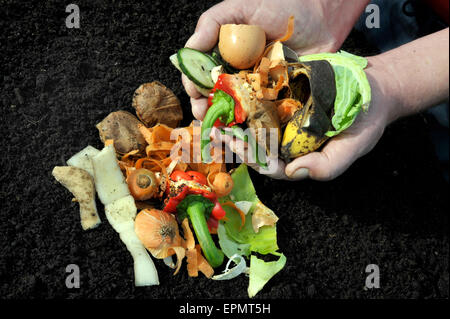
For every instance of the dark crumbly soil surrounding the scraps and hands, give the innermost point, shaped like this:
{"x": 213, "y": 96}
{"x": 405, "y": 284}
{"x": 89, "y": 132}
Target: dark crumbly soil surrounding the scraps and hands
{"x": 390, "y": 208}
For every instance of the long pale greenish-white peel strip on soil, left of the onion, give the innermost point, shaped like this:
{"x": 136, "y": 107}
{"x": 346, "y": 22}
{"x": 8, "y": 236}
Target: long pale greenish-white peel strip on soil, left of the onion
{"x": 120, "y": 210}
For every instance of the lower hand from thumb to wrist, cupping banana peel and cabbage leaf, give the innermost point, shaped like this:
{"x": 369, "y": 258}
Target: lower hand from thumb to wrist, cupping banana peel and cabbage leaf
{"x": 356, "y": 141}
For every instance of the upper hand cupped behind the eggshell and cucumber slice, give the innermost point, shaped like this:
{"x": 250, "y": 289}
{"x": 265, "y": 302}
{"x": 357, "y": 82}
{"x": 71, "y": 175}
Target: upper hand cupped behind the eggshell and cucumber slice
{"x": 320, "y": 26}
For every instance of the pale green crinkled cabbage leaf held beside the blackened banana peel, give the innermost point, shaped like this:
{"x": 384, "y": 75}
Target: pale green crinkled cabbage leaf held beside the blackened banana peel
{"x": 353, "y": 92}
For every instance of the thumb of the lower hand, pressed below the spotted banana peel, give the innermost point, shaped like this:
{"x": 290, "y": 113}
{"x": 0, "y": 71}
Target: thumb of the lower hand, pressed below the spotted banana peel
{"x": 326, "y": 165}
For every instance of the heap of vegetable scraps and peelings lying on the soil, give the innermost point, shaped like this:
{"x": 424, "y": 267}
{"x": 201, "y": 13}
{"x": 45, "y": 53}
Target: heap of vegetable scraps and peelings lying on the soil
{"x": 162, "y": 201}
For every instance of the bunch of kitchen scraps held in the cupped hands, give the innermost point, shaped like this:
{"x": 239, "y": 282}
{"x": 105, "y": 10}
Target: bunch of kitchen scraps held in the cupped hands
{"x": 251, "y": 84}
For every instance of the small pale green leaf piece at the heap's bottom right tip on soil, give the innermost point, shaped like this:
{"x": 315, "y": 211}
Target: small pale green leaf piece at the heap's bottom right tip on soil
{"x": 261, "y": 272}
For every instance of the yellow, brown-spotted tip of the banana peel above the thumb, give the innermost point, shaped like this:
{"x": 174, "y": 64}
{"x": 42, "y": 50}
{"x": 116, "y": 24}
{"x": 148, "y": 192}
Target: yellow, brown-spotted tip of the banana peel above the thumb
{"x": 297, "y": 141}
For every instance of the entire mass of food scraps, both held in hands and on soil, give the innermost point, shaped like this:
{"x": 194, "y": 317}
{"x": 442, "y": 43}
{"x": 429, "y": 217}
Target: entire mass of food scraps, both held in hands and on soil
{"x": 190, "y": 206}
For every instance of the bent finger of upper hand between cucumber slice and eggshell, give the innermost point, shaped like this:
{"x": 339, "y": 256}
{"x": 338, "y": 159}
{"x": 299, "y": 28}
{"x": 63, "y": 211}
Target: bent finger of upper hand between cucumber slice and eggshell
{"x": 207, "y": 30}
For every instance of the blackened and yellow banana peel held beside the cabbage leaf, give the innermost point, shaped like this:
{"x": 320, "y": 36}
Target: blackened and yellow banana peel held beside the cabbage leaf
{"x": 313, "y": 84}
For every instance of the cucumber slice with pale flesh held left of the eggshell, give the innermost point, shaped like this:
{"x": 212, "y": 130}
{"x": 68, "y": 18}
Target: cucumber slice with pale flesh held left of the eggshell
{"x": 197, "y": 67}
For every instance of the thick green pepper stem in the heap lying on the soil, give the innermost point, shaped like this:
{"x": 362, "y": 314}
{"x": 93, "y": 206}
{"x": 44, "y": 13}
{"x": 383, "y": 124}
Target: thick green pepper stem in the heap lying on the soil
{"x": 196, "y": 212}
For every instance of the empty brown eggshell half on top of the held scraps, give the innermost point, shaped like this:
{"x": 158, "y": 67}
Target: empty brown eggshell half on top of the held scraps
{"x": 241, "y": 45}
